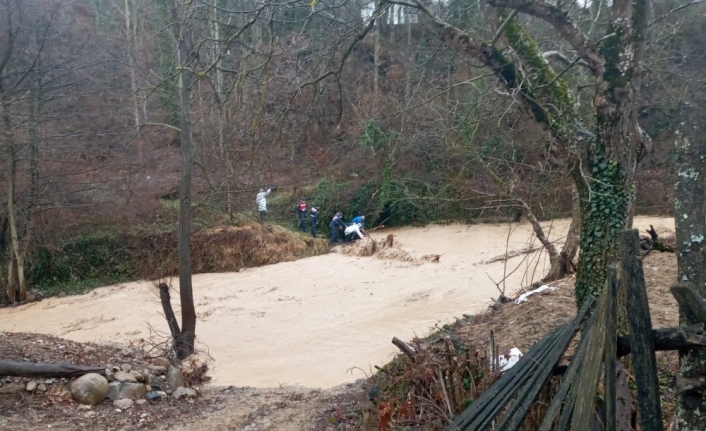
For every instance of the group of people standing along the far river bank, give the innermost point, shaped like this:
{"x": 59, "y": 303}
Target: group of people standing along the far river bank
{"x": 351, "y": 231}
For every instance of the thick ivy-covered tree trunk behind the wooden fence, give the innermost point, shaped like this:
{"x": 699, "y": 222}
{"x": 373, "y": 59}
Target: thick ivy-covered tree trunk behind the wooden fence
{"x": 619, "y": 145}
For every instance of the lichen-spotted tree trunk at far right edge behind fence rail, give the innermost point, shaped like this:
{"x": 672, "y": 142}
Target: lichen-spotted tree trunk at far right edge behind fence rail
{"x": 689, "y": 218}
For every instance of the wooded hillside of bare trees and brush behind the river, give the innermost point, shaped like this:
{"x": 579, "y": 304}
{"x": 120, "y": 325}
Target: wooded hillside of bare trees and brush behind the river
{"x": 318, "y": 98}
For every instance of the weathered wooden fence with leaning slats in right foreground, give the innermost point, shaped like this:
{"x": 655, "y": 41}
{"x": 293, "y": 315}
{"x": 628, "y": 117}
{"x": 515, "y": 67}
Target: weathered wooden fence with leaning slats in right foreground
{"x": 505, "y": 405}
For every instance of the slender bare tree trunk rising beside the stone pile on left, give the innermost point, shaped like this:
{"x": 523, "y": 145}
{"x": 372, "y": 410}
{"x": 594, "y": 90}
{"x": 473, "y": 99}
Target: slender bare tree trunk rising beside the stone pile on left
{"x": 185, "y": 346}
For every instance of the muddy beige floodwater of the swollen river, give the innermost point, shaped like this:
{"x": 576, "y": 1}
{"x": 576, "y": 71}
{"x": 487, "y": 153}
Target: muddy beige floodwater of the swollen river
{"x": 319, "y": 321}
